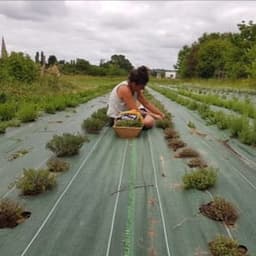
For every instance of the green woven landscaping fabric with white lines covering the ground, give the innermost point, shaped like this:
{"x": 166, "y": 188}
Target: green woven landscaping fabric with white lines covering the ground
{"x": 124, "y": 197}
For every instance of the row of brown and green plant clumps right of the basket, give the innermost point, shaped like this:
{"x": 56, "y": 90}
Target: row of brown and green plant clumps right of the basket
{"x": 202, "y": 177}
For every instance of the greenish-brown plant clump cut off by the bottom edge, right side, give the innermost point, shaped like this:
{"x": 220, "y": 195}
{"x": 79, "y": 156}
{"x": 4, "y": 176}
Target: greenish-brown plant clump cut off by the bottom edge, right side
{"x": 223, "y": 245}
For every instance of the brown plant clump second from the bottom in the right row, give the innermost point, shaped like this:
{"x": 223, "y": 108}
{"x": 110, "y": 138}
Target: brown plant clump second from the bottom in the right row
{"x": 220, "y": 210}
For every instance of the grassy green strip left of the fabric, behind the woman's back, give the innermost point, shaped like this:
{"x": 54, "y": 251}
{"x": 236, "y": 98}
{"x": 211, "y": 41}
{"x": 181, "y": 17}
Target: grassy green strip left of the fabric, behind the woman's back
{"x": 25, "y": 101}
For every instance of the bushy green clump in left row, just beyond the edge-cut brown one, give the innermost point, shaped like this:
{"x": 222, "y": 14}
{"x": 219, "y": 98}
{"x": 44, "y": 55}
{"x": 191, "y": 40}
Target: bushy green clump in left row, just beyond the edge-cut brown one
{"x": 34, "y": 182}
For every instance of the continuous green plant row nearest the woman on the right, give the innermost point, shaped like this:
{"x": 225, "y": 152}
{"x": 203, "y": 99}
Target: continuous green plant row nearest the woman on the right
{"x": 239, "y": 126}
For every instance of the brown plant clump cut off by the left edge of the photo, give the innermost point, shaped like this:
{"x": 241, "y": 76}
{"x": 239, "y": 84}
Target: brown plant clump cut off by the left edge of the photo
{"x": 11, "y": 213}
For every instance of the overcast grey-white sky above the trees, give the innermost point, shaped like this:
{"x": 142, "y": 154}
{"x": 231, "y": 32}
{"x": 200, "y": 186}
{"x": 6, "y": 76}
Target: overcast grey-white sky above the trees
{"x": 147, "y": 32}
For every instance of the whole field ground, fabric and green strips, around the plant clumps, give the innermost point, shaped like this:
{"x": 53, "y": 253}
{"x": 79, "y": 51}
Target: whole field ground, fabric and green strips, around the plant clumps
{"x": 127, "y": 197}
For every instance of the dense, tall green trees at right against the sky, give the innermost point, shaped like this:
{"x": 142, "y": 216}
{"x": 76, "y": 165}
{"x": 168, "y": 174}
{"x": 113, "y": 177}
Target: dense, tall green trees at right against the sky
{"x": 220, "y": 55}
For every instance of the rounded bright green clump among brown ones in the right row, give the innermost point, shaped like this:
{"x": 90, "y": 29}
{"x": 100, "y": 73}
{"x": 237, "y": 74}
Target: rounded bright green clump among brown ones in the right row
{"x": 201, "y": 178}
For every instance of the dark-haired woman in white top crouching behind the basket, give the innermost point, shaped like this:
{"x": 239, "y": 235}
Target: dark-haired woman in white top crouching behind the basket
{"x": 126, "y": 94}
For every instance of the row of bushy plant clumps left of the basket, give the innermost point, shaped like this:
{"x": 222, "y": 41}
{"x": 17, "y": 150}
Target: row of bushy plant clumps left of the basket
{"x": 34, "y": 182}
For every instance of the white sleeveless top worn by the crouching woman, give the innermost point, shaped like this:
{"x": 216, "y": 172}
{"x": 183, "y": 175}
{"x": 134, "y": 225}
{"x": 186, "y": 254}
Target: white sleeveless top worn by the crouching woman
{"x": 115, "y": 104}
